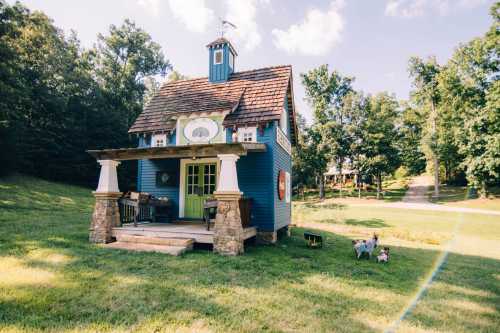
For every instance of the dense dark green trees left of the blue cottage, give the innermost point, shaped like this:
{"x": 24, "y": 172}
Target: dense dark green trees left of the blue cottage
{"x": 57, "y": 99}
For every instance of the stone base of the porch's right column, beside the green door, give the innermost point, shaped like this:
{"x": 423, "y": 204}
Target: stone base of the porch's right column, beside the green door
{"x": 228, "y": 230}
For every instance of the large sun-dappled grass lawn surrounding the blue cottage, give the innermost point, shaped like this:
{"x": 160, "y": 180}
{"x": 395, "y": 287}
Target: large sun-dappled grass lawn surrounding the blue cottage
{"x": 52, "y": 279}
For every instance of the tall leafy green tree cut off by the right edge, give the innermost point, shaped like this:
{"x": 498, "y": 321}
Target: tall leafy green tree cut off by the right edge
{"x": 470, "y": 86}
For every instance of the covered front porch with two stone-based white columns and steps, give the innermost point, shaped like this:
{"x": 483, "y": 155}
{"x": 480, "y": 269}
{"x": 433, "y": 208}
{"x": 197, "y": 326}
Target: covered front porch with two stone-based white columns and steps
{"x": 203, "y": 171}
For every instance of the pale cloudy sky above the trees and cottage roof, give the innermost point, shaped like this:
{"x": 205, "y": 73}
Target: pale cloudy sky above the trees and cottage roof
{"x": 370, "y": 40}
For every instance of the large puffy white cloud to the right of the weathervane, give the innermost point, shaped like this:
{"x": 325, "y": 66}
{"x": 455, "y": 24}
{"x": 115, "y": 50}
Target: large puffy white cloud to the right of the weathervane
{"x": 317, "y": 34}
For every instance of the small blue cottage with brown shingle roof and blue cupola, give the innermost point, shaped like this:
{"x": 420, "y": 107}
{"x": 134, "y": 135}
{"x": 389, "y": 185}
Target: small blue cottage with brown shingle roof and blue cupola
{"x": 226, "y": 138}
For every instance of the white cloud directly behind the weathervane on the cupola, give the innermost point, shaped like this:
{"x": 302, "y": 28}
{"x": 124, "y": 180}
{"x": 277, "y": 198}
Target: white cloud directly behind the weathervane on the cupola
{"x": 243, "y": 14}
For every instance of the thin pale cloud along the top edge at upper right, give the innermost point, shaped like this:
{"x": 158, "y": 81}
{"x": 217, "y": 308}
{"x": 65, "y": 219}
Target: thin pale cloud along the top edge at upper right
{"x": 414, "y": 8}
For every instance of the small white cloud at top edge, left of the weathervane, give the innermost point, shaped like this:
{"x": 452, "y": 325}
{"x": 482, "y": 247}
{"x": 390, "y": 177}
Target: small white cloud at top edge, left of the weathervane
{"x": 194, "y": 14}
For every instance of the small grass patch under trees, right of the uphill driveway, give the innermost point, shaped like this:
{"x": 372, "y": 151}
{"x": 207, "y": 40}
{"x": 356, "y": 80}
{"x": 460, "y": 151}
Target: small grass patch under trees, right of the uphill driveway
{"x": 459, "y": 196}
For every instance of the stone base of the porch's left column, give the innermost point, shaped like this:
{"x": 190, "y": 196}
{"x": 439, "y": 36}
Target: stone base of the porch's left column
{"x": 106, "y": 216}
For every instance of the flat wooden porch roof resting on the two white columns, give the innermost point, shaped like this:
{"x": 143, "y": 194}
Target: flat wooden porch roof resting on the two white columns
{"x": 202, "y": 150}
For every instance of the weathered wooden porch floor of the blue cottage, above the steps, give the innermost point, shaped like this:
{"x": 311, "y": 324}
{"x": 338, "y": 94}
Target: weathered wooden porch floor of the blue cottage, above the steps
{"x": 195, "y": 231}
